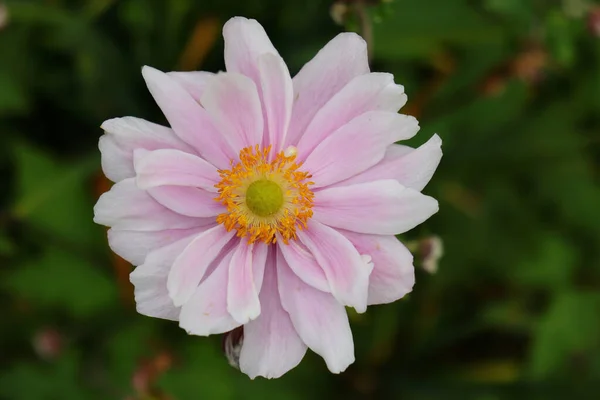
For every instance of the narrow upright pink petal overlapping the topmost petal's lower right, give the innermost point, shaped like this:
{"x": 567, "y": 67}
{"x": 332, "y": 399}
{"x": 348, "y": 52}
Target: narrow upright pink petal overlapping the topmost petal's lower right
{"x": 277, "y": 96}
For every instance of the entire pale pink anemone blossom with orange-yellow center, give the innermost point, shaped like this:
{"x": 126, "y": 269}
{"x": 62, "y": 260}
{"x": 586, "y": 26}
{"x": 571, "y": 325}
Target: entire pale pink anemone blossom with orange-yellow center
{"x": 271, "y": 202}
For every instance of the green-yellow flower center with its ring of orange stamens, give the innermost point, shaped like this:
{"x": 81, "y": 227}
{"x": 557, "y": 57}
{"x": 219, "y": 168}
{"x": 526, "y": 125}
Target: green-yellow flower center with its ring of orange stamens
{"x": 265, "y": 198}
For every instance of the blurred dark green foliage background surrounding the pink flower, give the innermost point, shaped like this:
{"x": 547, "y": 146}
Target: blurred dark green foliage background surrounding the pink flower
{"x": 511, "y": 86}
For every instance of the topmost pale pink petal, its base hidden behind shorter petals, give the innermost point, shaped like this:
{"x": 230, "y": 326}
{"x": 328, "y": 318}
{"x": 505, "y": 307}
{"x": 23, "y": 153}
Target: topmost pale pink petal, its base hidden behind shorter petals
{"x": 245, "y": 41}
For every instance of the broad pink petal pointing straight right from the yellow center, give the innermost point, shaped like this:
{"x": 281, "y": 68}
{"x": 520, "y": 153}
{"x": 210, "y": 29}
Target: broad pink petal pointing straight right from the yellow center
{"x": 382, "y": 207}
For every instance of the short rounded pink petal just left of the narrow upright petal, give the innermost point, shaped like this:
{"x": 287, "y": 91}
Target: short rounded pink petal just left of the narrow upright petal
{"x": 234, "y": 106}
